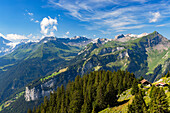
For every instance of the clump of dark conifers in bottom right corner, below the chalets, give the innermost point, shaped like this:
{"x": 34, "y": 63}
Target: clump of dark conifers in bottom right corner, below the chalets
{"x": 157, "y": 104}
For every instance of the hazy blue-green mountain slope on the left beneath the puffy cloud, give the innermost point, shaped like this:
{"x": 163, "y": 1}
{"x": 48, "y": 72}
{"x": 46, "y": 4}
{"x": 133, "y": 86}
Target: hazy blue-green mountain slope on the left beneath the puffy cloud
{"x": 33, "y": 60}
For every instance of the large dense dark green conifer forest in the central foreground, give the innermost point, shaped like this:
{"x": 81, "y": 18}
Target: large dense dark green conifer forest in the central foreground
{"x": 91, "y": 93}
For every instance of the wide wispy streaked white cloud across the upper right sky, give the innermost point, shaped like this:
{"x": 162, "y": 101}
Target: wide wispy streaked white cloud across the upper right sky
{"x": 116, "y": 14}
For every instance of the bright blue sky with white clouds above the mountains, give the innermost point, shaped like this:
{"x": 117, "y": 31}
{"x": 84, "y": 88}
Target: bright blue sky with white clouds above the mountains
{"x": 33, "y": 19}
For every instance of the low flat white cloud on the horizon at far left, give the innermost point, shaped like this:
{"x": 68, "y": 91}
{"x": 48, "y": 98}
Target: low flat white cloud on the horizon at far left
{"x": 15, "y": 37}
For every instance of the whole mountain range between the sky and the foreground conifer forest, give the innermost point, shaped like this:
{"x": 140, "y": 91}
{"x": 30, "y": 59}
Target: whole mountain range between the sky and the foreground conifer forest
{"x": 54, "y": 61}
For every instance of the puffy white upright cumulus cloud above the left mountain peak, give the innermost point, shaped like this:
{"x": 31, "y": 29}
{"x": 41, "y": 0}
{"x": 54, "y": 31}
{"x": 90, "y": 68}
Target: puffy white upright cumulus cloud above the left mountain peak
{"x": 48, "y": 25}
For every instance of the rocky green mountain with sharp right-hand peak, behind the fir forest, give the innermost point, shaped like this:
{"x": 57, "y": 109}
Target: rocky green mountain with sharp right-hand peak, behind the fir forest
{"x": 141, "y": 56}
